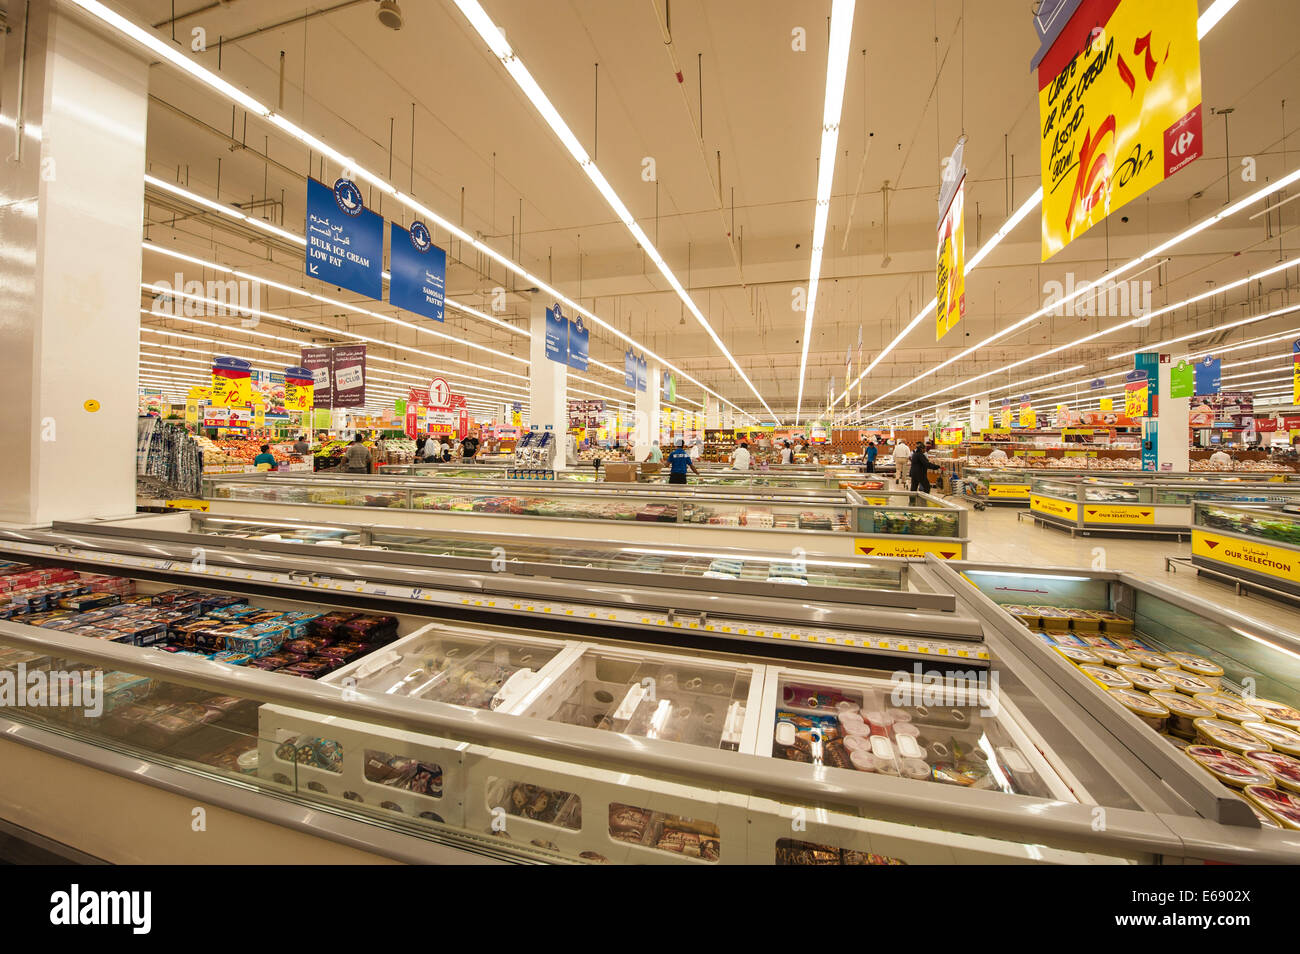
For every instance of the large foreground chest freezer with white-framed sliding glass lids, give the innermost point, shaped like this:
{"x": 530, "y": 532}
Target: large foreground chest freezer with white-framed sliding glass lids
{"x": 528, "y": 739}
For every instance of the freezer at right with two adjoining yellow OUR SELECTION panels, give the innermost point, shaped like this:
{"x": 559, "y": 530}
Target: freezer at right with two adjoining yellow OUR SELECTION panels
{"x": 1151, "y": 506}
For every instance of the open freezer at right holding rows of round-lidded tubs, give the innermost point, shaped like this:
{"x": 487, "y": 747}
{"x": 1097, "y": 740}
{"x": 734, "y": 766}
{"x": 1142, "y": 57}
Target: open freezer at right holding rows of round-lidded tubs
{"x": 1216, "y": 692}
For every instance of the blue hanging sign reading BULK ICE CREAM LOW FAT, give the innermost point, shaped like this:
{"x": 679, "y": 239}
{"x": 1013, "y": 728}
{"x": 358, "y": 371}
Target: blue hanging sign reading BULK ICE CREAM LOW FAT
{"x": 345, "y": 240}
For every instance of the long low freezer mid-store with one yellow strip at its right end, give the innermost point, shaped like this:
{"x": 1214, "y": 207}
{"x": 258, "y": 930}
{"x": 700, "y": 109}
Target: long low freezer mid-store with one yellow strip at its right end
{"x": 820, "y": 522}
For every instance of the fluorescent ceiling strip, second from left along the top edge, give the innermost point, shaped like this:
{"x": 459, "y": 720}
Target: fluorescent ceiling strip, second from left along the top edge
{"x": 501, "y": 49}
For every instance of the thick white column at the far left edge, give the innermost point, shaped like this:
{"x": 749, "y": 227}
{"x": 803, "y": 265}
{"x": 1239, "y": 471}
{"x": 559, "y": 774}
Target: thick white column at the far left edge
{"x": 73, "y": 196}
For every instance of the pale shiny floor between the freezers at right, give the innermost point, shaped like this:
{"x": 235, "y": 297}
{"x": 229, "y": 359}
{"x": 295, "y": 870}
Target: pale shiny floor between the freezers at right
{"x": 999, "y": 536}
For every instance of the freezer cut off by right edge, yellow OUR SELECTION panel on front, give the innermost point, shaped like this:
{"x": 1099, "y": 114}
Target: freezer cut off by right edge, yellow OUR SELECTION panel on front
{"x": 1258, "y": 547}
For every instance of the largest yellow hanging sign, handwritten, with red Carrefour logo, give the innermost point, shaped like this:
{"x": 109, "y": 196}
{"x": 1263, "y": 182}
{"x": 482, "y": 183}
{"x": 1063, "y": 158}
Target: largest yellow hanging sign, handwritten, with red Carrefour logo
{"x": 1120, "y": 110}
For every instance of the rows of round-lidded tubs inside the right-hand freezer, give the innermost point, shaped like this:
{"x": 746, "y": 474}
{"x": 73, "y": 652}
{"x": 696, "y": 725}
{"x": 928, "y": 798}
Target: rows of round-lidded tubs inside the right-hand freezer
{"x": 1250, "y": 745}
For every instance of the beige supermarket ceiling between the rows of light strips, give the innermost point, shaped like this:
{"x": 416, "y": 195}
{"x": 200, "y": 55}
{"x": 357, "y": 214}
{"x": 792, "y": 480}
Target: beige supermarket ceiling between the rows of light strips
{"x": 920, "y": 76}
